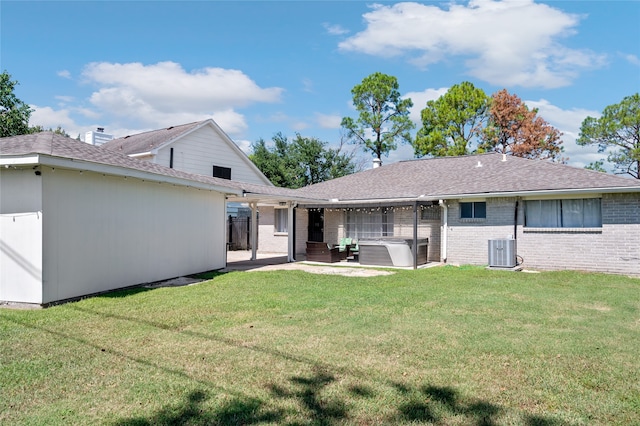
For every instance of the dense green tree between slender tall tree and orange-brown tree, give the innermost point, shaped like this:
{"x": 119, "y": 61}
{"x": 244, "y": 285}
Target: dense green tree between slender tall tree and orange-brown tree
{"x": 451, "y": 122}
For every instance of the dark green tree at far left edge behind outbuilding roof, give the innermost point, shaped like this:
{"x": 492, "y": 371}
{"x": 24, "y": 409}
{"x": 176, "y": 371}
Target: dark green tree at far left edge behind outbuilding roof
{"x": 14, "y": 114}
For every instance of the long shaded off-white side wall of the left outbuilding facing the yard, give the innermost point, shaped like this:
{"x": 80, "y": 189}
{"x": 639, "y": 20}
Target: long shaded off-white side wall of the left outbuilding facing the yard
{"x": 104, "y": 232}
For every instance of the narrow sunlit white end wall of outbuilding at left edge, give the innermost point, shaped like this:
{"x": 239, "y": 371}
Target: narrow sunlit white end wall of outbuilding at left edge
{"x": 20, "y": 236}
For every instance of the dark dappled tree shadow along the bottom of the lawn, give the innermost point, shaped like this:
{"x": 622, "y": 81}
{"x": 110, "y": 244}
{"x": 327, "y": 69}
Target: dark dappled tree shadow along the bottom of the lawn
{"x": 424, "y": 405}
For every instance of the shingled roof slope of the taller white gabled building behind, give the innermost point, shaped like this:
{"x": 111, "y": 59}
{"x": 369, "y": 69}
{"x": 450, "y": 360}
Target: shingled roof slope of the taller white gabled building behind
{"x": 147, "y": 141}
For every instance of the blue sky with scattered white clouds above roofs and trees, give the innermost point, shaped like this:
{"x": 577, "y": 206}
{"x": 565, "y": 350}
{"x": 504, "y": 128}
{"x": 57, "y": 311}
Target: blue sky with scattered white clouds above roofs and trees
{"x": 264, "y": 67}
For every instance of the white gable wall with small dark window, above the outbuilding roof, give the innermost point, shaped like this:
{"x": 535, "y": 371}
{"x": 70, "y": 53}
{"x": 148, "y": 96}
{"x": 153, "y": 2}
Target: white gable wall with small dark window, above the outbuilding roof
{"x": 199, "y": 151}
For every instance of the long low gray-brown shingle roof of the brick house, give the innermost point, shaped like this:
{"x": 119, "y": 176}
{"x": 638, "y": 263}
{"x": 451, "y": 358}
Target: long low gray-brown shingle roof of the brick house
{"x": 449, "y": 176}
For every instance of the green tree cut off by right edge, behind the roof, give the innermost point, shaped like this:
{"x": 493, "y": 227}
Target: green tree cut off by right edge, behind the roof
{"x": 618, "y": 129}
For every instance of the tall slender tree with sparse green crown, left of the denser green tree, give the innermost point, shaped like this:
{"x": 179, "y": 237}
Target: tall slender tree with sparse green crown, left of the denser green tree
{"x": 384, "y": 116}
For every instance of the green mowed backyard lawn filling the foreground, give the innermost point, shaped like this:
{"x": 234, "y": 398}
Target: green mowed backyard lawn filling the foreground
{"x": 452, "y": 346}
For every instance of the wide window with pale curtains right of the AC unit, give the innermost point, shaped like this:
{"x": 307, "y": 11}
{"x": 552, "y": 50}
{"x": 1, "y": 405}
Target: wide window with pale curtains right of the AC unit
{"x": 580, "y": 213}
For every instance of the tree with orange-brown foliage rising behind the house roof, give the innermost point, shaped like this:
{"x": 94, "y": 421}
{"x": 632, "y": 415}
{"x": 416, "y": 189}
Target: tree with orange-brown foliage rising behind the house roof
{"x": 514, "y": 129}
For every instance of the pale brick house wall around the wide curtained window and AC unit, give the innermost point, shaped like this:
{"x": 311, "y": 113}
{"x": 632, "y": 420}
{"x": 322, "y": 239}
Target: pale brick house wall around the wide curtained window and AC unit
{"x": 613, "y": 248}
